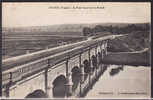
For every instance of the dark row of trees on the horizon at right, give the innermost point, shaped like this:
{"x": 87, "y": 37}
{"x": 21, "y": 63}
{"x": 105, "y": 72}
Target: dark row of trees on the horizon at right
{"x": 87, "y": 31}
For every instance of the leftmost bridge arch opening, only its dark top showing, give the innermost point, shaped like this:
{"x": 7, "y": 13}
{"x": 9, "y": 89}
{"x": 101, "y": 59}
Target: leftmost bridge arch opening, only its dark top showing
{"x": 37, "y": 94}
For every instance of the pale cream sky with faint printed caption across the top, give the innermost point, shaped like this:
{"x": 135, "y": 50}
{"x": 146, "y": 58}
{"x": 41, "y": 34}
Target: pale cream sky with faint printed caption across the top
{"x": 42, "y": 14}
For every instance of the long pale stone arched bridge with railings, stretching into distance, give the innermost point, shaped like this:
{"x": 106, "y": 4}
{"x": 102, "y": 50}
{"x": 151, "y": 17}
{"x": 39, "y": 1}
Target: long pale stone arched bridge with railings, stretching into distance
{"x": 65, "y": 71}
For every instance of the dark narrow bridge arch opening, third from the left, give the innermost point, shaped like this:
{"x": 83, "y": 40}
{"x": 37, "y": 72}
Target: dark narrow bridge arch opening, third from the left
{"x": 76, "y": 72}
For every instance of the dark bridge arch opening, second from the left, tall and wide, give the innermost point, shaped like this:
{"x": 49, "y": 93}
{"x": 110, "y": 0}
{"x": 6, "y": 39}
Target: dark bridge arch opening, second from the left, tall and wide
{"x": 59, "y": 88}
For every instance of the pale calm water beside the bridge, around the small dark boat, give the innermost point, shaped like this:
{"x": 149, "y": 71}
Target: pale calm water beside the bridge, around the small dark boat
{"x": 131, "y": 82}
